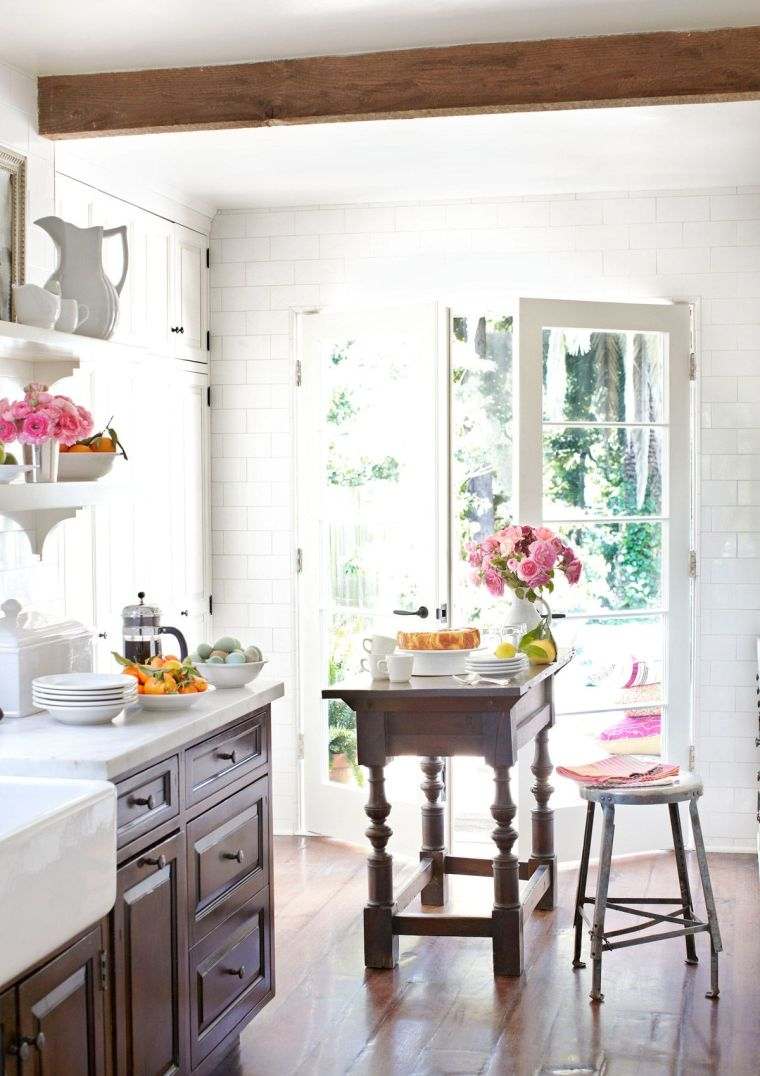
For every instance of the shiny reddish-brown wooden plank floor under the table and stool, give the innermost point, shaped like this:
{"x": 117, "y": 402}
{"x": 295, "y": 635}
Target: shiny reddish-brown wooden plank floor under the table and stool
{"x": 442, "y": 1011}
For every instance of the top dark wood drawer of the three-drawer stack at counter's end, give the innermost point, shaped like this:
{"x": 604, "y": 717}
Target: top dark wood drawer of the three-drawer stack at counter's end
{"x": 220, "y": 761}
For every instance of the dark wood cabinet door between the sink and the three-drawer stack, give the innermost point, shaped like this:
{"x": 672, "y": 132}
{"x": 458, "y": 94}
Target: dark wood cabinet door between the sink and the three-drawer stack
{"x": 151, "y": 962}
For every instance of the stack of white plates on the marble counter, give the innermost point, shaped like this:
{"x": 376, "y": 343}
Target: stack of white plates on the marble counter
{"x": 85, "y": 699}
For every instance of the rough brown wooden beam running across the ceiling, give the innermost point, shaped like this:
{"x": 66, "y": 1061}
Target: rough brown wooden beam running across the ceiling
{"x": 460, "y": 80}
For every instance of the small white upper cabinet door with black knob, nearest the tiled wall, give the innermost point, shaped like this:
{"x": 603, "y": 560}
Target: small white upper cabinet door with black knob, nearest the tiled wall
{"x": 191, "y": 295}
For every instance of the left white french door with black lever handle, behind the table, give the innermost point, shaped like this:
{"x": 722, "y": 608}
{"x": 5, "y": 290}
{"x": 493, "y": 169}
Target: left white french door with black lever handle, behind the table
{"x": 372, "y": 530}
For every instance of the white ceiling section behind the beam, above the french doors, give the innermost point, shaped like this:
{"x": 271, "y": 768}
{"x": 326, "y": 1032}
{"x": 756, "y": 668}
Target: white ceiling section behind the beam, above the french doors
{"x": 674, "y": 147}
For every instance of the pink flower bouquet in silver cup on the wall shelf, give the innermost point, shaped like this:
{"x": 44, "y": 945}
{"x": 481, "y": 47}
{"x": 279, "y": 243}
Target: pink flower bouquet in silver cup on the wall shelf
{"x": 44, "y": 417}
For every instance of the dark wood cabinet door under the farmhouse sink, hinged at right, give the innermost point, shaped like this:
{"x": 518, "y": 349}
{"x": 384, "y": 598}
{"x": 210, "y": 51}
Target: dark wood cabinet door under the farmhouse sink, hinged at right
{"x": 61, "y": 1011}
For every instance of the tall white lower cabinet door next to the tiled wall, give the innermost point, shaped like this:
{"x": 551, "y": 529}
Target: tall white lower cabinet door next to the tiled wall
{"x": 191, "y": 499}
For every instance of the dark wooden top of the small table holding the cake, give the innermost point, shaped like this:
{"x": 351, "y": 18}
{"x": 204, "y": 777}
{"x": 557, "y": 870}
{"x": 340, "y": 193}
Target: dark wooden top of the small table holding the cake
{"x": 441, "y": 687}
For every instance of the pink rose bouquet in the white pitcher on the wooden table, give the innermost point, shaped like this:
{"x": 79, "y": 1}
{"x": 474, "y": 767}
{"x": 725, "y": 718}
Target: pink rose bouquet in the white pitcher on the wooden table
{"x": 525, "y": 559}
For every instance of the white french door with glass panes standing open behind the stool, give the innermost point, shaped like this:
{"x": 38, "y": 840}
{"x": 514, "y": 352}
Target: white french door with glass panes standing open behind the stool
{"x": 603, "y": 458}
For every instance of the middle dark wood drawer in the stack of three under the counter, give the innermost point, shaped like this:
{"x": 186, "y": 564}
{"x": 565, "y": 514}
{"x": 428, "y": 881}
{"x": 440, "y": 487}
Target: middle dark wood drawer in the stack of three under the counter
{"x": 229, "y": 848}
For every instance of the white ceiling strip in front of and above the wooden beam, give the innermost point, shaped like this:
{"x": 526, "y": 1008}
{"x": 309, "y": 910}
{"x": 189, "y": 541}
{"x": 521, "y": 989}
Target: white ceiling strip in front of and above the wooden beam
{"x": 68, "y": 36}
